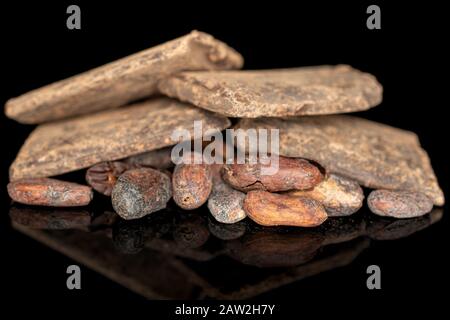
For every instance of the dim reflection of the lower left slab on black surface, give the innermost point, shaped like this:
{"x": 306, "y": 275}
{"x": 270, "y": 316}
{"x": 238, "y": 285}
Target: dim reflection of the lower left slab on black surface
{"x": 150, "y": 274}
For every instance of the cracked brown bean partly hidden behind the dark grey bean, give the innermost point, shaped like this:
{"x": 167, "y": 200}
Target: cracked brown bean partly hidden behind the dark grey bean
{"x": 103, "y": 176}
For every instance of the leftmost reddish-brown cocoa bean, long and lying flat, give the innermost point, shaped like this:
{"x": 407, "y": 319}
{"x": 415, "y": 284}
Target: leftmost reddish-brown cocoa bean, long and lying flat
{"x": 49, "y": 192}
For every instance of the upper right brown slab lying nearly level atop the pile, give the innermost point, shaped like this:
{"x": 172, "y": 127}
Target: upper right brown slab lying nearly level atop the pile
{"x": 277, "y": 93}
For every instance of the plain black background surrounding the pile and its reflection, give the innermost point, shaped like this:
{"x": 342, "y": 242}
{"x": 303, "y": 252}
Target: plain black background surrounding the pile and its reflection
{"x": 407, "y": 55}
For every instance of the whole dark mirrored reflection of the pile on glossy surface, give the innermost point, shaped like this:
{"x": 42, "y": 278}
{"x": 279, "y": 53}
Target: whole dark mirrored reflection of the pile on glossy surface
{"x": 188, "y": 255}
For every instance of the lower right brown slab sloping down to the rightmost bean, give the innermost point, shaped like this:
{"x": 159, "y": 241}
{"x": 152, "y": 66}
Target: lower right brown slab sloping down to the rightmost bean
{"x": 375, "y": 155}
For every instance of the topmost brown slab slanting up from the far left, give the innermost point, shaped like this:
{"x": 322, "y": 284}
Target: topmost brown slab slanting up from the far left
{"x": 125, "y": 80}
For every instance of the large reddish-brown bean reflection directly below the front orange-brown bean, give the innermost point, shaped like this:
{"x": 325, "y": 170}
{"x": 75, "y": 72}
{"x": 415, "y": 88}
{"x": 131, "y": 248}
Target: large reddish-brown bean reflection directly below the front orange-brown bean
{"x": 267, "y": 249}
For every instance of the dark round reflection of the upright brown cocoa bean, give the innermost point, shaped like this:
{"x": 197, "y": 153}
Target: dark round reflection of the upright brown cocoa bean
{"x": 190, "y": 231}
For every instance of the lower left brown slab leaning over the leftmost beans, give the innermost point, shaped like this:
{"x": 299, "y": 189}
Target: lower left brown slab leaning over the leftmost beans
{"x": 73, "y": 144}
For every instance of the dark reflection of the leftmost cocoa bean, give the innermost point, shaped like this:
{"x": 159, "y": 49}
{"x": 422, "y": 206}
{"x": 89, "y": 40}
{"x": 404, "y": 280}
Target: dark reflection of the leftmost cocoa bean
{"x": 49, "y": 218}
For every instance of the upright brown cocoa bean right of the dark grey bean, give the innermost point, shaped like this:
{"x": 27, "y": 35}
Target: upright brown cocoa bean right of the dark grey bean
{"x": 192, "y": 185}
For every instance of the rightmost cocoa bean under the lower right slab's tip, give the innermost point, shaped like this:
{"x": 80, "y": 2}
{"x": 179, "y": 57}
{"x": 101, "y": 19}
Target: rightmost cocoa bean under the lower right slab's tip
{"x": 399, "y": 204}
